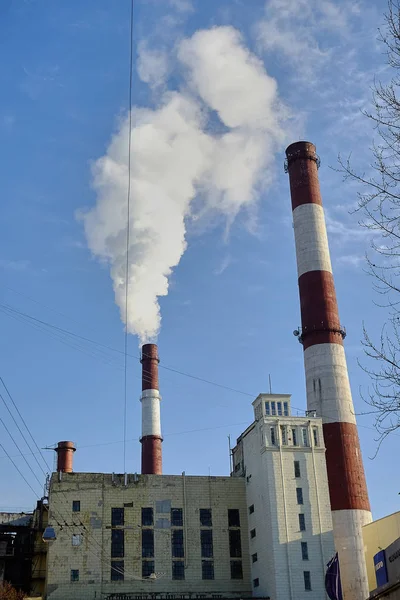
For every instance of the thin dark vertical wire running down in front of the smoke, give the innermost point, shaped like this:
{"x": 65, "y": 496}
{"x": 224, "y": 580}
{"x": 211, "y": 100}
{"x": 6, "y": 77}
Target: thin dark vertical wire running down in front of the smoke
{"x": 128, "y": 216}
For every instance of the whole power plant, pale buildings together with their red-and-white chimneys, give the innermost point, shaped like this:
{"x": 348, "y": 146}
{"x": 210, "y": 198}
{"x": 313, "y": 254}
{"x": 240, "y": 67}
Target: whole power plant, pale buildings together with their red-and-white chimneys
{"x": 295, "y": 499}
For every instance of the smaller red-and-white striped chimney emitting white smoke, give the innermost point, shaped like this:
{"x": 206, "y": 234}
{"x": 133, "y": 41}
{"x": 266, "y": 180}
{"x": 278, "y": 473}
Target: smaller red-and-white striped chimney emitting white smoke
{"x": 151, "y": 424}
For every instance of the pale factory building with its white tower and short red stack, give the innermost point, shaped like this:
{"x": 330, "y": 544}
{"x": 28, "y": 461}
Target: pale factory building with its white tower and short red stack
{"x": 266, "y": 531}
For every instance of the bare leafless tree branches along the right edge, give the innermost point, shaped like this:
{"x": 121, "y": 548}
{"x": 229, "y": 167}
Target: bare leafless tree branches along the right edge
{"x": 379, "y": 204}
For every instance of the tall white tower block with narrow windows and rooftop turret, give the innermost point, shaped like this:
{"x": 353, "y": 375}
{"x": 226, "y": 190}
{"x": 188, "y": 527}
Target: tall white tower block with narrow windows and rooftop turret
{"x": 282, "y": 461}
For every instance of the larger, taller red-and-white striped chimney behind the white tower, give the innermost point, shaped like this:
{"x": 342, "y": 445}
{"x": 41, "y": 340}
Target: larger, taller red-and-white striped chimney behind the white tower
{"x": 327, "y": 380}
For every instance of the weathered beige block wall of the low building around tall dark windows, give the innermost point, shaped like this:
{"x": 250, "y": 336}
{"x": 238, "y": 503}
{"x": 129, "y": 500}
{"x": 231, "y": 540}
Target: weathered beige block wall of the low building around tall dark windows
{"x": 97, "y": 494}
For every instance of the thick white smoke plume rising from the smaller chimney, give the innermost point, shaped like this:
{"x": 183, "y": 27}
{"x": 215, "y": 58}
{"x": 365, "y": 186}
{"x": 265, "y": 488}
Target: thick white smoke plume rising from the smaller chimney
{"x": 177, "y": 159}
